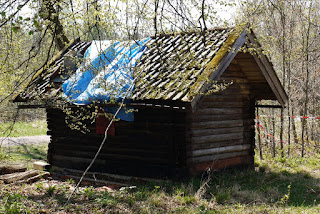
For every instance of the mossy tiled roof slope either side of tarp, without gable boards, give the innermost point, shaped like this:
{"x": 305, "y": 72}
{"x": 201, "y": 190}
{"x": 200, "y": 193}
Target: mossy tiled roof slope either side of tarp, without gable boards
{"x": 174, "y": 67}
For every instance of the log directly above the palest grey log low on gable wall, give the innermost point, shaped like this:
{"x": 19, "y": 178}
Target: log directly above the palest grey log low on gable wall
{"x": 220, "y": 137}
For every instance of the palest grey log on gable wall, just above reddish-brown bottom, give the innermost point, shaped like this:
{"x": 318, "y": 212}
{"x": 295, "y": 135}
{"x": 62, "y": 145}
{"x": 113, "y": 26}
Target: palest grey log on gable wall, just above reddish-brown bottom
{"x": 220, "y": 150}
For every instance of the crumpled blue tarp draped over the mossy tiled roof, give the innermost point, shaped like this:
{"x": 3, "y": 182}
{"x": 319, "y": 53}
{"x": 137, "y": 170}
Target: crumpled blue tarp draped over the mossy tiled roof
{"x": 105, "y": 75}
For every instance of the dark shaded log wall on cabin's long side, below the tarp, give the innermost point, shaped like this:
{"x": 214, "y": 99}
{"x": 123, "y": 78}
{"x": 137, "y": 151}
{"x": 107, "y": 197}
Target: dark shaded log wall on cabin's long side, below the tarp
{"x": 153, "y": 145}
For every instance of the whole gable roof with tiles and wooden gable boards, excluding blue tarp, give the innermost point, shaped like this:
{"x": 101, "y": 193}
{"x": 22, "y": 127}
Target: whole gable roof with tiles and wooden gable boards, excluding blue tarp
{"x": 175, "y": 67}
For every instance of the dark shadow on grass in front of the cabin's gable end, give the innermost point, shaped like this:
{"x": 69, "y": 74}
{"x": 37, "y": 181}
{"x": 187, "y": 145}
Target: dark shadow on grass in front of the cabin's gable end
{"x": 250, "y": 186}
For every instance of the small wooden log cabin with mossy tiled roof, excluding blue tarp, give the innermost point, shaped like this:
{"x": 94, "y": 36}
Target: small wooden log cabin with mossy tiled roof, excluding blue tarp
{"x": 195, "y": 107}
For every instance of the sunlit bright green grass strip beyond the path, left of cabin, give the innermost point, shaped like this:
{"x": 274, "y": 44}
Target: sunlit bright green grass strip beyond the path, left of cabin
{"x": 37, "y": 127}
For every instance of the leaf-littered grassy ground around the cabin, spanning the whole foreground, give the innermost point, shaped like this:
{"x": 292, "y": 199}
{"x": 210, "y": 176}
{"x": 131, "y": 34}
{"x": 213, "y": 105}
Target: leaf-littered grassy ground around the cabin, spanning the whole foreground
{"x": 277, "y": 185}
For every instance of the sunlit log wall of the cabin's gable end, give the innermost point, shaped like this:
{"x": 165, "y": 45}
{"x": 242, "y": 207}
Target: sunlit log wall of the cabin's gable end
{"x": 220, "y": 133}
